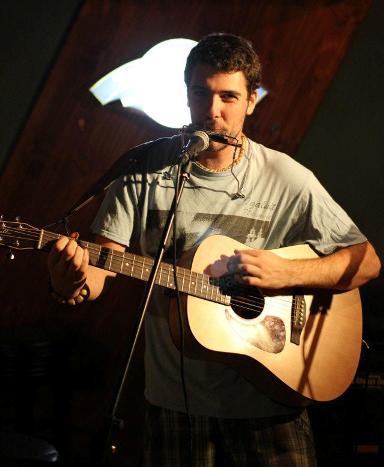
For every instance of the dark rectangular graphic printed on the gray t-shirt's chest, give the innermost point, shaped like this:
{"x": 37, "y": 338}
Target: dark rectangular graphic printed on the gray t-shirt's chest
{"x": 192, "y": 229}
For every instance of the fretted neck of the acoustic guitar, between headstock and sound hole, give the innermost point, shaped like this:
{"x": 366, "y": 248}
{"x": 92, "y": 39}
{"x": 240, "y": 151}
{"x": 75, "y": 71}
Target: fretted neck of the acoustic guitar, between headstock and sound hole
{"x": 139, "y": 267}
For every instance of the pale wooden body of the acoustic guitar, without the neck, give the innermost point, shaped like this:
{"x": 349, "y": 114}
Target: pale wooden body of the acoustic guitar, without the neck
{"x": 320, "y": 366}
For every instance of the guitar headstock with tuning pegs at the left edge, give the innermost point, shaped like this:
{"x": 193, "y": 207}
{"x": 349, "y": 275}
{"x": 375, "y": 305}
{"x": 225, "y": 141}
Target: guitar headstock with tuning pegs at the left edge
{"x": 18, "y": 235}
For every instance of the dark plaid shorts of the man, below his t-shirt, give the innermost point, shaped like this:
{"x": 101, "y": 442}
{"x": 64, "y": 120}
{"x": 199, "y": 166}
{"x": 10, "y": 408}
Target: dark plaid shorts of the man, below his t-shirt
{"x": 176, "y": 440}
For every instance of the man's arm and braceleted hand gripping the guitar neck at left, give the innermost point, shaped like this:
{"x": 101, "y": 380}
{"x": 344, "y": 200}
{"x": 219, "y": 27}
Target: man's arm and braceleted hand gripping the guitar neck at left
{"x": 69, "y": 268}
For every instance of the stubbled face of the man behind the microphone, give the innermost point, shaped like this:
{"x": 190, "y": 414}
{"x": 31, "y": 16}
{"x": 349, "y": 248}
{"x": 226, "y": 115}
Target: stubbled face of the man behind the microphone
{"x": 219, "y": 101}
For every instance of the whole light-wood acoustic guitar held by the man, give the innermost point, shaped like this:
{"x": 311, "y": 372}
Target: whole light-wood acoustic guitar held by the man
{"x": 296, "y": 347}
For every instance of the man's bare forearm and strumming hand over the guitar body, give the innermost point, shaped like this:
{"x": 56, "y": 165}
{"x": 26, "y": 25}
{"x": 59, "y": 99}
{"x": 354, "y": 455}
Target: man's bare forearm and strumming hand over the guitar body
{"x": 345, "y": 269}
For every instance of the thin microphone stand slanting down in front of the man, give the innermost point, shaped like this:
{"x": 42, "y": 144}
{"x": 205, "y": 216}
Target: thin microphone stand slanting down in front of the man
{"x": 185, "y": 164}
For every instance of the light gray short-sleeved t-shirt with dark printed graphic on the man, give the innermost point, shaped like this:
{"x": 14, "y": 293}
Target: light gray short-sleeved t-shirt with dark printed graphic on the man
{"x": 283, "y": 205}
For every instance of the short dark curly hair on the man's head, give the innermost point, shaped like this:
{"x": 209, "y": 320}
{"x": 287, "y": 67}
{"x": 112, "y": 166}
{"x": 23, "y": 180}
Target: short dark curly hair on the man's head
{"x": 226, "y": 53}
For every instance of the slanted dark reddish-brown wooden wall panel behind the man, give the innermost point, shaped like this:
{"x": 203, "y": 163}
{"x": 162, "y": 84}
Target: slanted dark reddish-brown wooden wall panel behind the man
{"x": 70, "y": 140}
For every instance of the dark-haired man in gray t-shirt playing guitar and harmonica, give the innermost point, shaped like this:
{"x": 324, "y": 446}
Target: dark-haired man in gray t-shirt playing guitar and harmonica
{"x": 255, "y": 195}
